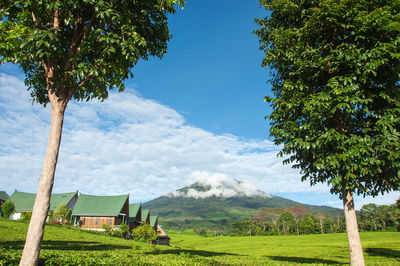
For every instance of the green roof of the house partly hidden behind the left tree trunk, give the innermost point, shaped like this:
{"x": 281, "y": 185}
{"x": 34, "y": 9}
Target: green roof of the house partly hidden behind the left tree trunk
{"x": 24, "y": 201}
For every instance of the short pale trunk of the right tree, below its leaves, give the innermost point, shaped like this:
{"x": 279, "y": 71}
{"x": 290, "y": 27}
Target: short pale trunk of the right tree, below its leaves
{"x": 353, "y": 237}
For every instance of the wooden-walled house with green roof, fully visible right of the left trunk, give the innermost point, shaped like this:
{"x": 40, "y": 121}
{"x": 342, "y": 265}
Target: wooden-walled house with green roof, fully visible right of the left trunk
{"x": 91, "y": 212}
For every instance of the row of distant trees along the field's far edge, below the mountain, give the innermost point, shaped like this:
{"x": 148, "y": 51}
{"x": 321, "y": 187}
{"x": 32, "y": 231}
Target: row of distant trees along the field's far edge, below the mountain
{"x": 297, "y": 220}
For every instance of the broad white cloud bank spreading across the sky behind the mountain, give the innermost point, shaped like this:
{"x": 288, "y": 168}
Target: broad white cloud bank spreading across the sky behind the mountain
{"x": 128, "y": 144}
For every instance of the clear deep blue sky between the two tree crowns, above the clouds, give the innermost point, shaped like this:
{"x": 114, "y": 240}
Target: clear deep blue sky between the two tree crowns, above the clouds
{"x": 212, "y": 72}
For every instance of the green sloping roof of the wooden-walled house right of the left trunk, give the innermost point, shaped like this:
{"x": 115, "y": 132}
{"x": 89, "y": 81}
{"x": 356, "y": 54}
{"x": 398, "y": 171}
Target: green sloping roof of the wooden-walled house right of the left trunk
{"x": 88, "y": 205}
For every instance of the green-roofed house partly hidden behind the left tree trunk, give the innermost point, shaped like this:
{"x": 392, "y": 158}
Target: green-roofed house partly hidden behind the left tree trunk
{"x": 23, "y": 202}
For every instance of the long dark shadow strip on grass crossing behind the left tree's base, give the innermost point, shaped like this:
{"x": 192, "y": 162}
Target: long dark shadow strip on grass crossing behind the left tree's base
{"x": 65, "y": 245}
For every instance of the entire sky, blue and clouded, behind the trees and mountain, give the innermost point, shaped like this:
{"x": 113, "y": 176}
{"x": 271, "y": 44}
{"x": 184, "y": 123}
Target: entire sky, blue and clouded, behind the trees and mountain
{"x": 197, "y": 114}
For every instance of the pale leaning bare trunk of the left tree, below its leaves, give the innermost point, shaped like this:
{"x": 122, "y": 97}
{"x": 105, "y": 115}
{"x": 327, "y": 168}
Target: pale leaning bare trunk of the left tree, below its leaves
{"x": 30, "y": 254}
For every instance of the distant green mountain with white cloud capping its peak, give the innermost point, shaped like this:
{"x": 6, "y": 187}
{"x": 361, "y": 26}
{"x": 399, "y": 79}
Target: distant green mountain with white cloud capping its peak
{"x": 220, "y": 204}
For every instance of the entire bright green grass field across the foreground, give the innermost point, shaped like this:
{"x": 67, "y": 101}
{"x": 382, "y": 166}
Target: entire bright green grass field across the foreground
{"x": 69, "y": 246}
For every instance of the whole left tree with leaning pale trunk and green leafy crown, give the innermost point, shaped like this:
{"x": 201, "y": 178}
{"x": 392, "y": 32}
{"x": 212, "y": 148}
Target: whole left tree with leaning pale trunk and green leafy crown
{"x": 76, "y": 49}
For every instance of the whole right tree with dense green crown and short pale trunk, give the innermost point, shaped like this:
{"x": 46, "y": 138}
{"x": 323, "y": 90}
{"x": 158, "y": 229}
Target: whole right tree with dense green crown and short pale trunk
{"x": 335, "y": 79}
